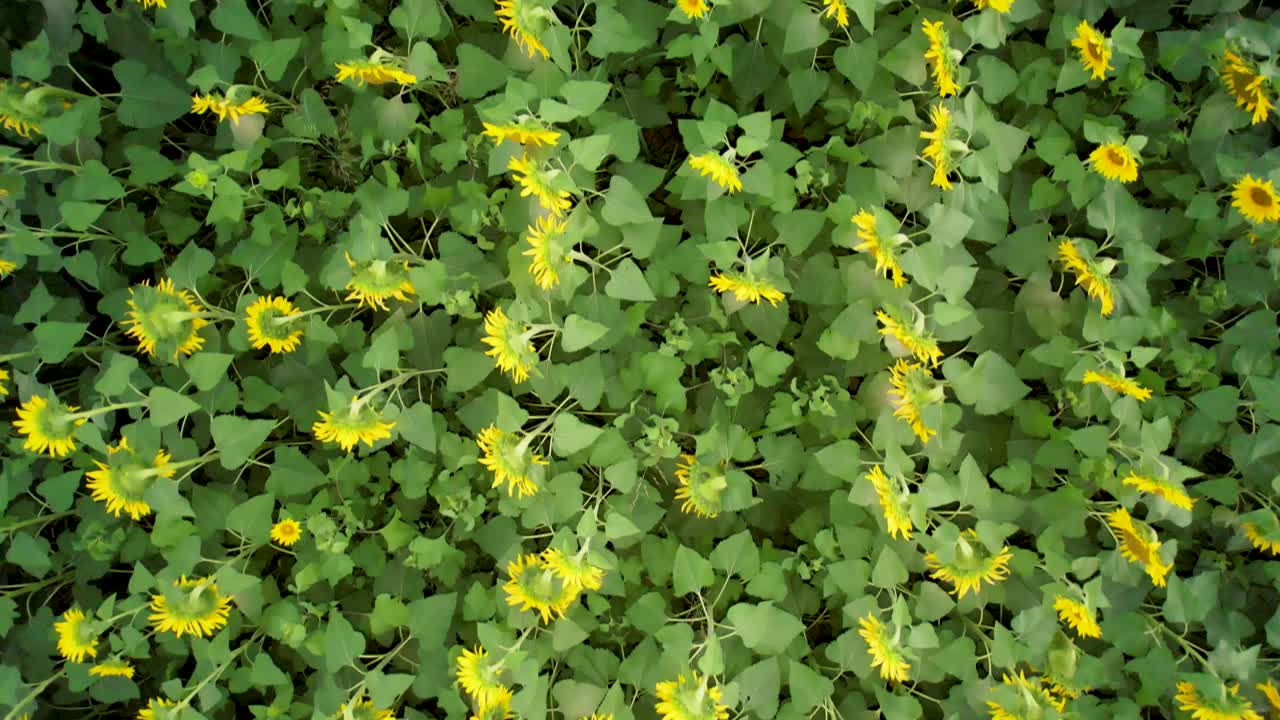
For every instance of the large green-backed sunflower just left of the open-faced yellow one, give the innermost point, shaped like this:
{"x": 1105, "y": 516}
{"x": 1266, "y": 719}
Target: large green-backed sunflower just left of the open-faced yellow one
{"x": 166, "y": 321}
